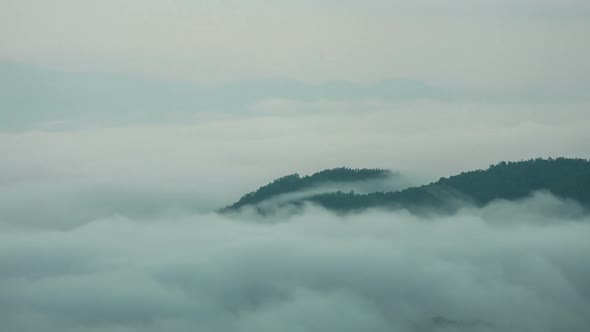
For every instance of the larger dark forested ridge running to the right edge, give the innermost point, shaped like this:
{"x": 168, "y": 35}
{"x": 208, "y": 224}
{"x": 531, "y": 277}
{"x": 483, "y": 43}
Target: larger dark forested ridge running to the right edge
{"x": 563, "y": 177}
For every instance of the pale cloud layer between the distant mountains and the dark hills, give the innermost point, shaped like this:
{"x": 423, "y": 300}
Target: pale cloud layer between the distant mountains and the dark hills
{"x": 63, "y": 177}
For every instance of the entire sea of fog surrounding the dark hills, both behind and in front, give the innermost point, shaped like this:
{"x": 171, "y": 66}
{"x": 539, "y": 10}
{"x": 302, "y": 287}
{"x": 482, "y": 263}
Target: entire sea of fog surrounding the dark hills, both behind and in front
{"x": 111, "y": 228}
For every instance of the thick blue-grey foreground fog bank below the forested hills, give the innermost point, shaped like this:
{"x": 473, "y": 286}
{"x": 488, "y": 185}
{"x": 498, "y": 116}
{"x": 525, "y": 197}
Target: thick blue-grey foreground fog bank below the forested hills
{"x": 511, "y": 266}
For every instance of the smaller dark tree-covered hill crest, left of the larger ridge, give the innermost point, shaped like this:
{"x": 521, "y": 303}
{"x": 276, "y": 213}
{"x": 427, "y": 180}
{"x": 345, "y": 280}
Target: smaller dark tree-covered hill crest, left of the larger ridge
{"x": 294, "y": 183}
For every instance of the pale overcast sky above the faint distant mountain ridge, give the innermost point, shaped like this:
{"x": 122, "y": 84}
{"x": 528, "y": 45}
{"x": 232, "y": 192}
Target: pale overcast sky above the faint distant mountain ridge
{"x": 490, "y": 44}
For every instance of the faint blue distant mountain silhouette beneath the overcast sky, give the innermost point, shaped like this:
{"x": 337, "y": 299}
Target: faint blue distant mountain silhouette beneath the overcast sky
{"x": 37, "y": 97}
